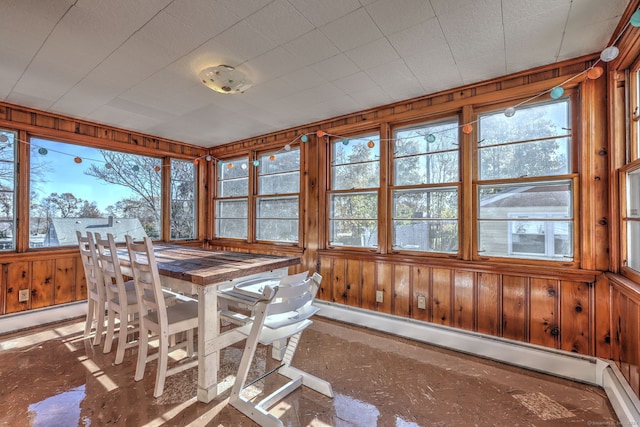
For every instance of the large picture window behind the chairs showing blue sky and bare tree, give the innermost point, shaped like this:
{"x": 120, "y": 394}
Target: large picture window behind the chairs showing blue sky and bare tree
{"x": 87, "y": 189}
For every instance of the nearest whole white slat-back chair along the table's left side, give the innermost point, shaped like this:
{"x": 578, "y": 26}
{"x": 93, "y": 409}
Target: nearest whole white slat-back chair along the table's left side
{"x": 157, "y": 319}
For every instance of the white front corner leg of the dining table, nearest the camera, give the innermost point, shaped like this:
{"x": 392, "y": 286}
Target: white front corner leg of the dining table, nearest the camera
{"x": 208, "y": 355}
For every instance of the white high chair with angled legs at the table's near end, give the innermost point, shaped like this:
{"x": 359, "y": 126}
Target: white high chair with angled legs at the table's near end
{"x": 279, "y": 312}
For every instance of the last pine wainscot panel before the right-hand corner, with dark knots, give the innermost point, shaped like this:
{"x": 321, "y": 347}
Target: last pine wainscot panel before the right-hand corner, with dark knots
{"x": 574, "y": 324}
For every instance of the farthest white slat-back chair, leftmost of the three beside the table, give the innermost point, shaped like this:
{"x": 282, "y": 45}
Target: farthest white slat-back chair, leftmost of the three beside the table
{"x": 96, "y": 297}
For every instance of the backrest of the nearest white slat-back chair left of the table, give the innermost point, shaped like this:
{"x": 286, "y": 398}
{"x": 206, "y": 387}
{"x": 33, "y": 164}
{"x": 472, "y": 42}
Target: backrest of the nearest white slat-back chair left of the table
{"x": 146, "y": 278}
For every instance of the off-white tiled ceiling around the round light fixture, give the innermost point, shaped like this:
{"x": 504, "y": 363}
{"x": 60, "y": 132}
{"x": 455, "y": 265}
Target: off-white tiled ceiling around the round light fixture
{"x": 135, "y": 64}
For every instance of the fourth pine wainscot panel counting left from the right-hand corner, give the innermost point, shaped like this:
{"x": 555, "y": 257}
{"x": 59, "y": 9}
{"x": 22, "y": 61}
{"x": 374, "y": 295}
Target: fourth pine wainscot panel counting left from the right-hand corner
{"x": 489, "y": 311}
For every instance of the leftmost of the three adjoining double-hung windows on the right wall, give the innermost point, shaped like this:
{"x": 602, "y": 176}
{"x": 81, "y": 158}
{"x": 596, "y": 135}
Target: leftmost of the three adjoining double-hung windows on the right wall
{"x": 353, "y": 192}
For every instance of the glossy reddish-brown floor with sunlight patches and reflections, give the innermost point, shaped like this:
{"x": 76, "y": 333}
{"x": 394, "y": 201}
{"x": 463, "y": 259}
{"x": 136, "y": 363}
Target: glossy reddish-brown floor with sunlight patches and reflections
{"x": 54, "y": 377}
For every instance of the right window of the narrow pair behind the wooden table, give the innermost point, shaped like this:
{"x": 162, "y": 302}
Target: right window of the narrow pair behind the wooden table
{"x": 277, "y": 203}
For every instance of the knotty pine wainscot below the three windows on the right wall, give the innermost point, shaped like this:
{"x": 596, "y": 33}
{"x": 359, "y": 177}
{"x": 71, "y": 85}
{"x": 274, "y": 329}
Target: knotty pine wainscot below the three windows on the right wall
{"x": 557, "y": 309}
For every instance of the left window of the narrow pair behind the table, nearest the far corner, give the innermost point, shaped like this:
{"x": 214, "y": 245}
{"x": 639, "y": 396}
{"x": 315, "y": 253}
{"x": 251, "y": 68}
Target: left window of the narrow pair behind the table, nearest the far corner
{"x": 232, "y": 202}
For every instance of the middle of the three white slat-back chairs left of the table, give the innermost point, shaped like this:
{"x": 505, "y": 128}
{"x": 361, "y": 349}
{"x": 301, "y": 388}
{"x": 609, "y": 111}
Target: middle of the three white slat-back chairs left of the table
{"x": 121, "y": 299}
